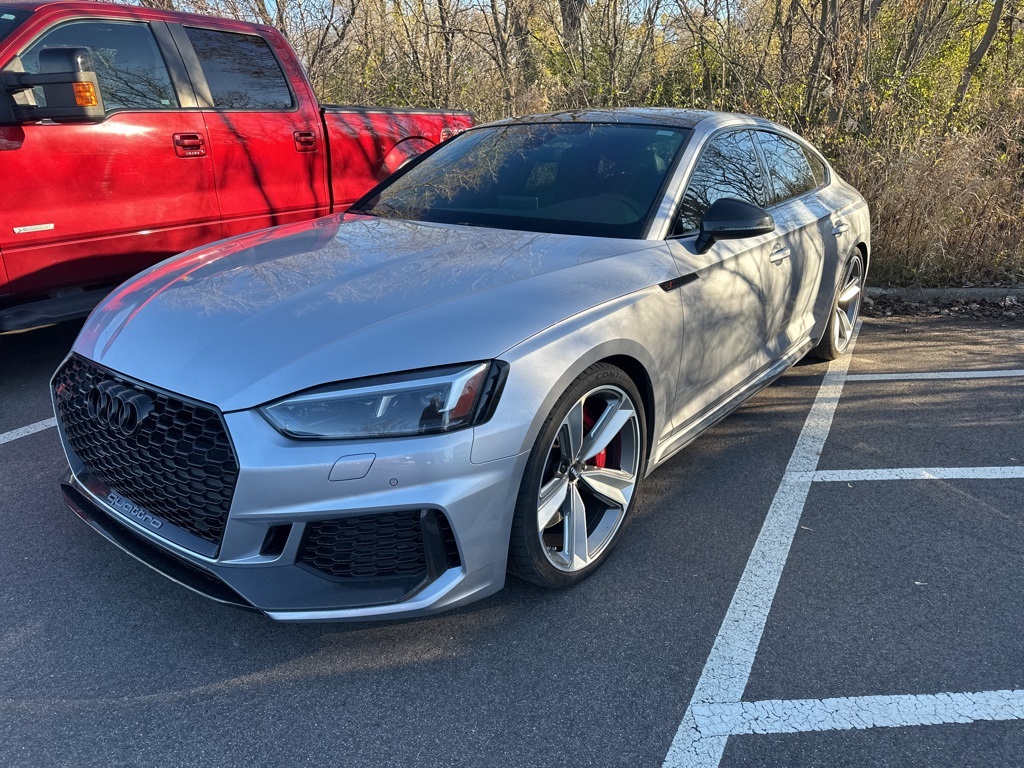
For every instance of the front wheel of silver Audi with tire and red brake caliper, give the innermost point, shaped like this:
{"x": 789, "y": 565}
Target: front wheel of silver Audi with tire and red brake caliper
{"x": 582, "y": 478}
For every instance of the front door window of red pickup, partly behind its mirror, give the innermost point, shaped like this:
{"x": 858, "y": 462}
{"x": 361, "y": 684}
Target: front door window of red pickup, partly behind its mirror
{"x": 133, "y": 74}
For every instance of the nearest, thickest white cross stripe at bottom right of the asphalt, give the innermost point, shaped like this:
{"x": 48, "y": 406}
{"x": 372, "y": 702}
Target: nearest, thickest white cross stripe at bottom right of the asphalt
{"x": 801, "y": 716}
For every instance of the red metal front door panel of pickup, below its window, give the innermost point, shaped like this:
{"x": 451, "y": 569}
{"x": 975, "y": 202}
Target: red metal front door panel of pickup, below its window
{"x": 83, "y": 203}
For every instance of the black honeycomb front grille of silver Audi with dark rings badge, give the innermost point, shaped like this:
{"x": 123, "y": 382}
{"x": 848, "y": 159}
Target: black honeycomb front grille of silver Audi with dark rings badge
{"x": 166, "y": 454}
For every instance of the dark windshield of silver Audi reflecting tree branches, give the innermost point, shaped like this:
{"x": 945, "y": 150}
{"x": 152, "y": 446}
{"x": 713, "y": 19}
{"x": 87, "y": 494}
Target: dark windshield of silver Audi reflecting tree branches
{"x": 571, "y": 179}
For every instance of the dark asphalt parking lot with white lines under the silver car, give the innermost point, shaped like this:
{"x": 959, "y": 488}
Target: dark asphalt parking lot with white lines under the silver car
{"x": 832, "y": 577}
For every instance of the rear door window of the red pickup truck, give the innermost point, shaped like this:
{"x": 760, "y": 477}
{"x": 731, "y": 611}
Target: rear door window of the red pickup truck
{"x": 241, "y": 70}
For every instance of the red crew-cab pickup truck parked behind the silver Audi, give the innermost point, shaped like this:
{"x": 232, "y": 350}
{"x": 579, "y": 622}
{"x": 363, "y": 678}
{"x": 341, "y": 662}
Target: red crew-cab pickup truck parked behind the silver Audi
{"x": 130, "y": 135}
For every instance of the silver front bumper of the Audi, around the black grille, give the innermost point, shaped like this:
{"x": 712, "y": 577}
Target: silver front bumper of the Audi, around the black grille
{"x": 285, "y": 488}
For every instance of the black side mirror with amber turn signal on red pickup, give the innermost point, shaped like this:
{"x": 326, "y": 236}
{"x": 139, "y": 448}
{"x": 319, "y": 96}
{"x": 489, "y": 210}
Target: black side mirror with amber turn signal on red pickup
{"x": 70, "y": 88}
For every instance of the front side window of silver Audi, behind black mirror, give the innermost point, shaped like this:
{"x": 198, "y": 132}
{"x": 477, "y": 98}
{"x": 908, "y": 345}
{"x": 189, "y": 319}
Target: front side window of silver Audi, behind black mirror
{"x": 729, "y": 167}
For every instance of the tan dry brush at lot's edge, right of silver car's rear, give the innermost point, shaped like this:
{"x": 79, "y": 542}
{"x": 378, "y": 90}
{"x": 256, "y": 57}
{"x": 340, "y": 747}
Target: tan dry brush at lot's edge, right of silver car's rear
{"x": 947, "y": 211}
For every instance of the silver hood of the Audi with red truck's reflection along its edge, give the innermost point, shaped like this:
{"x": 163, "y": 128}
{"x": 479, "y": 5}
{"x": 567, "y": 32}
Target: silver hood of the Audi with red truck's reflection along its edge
{"x": 253, "y": 319}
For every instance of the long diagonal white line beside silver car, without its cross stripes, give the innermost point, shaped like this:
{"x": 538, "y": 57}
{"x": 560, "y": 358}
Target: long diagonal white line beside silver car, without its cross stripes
{"x": 729, "y": 668}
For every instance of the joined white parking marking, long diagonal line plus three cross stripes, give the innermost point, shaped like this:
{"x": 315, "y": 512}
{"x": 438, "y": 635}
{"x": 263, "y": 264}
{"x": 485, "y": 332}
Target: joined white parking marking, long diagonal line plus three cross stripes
{"x": 716, "y": 712}
